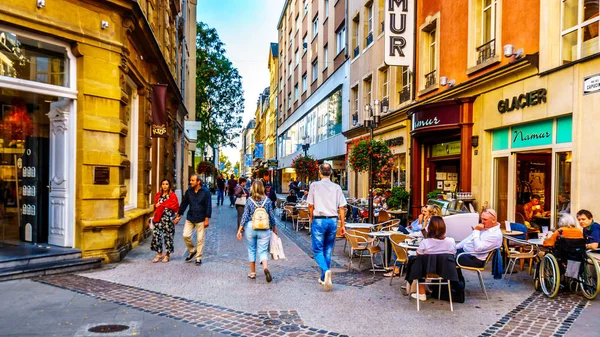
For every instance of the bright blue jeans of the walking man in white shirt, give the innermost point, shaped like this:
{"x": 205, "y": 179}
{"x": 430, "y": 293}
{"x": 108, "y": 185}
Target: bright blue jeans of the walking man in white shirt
{"x": 323, "y": 239}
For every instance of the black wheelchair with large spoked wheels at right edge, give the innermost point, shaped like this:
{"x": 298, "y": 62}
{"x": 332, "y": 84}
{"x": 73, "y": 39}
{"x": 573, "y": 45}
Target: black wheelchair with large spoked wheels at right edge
{"x": 567, "y": 265}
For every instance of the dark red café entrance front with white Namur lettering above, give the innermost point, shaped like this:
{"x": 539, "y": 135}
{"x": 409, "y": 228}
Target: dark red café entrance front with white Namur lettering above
{"x": 441, "y": 141}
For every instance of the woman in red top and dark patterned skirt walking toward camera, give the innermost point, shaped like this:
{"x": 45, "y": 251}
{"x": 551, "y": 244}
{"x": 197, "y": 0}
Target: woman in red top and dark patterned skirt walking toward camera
{"x": 166, "y": 206}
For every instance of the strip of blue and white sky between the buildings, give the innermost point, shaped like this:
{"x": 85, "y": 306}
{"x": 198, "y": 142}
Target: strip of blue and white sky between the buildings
{"x": 246, "y": 27}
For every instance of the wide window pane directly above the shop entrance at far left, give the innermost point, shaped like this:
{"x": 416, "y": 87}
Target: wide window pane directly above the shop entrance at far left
{"x": 32, "y": 60}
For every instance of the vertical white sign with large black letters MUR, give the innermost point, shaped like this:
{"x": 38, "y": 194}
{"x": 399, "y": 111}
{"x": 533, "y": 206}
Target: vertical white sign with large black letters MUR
{"x": 399, "y": 32}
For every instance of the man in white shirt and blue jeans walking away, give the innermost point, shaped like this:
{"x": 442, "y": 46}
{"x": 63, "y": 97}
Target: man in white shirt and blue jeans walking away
{"x": 326, "y": 204}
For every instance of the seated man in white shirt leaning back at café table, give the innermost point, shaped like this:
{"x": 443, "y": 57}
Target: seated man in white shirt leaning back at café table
{"x": 485, "y": 237}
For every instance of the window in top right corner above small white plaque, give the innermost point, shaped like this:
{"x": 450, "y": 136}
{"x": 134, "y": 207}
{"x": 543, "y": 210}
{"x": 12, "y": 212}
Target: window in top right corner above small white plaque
{"x": 579, "y": 25}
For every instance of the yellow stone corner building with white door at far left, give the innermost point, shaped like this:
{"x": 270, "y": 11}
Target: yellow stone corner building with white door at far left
{"x": 78, "y": 166}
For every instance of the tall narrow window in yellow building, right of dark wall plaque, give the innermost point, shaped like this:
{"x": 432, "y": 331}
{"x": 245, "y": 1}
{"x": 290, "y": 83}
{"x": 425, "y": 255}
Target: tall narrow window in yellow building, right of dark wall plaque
{"x": 131, "y": 147}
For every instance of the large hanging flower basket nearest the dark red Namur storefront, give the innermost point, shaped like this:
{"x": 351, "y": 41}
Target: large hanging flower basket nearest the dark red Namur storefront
{"x": 383, "y": 159}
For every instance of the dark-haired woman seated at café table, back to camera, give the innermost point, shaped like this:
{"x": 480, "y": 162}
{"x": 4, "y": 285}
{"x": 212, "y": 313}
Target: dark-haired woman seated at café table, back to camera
{"x": 434, "y": 243}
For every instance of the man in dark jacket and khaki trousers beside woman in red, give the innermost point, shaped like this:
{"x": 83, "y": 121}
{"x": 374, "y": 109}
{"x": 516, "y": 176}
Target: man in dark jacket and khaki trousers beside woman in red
{"x": 198, "y": 200}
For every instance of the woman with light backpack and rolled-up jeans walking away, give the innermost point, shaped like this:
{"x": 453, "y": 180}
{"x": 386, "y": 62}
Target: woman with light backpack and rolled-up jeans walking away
{"x": 257, "y": 222}
